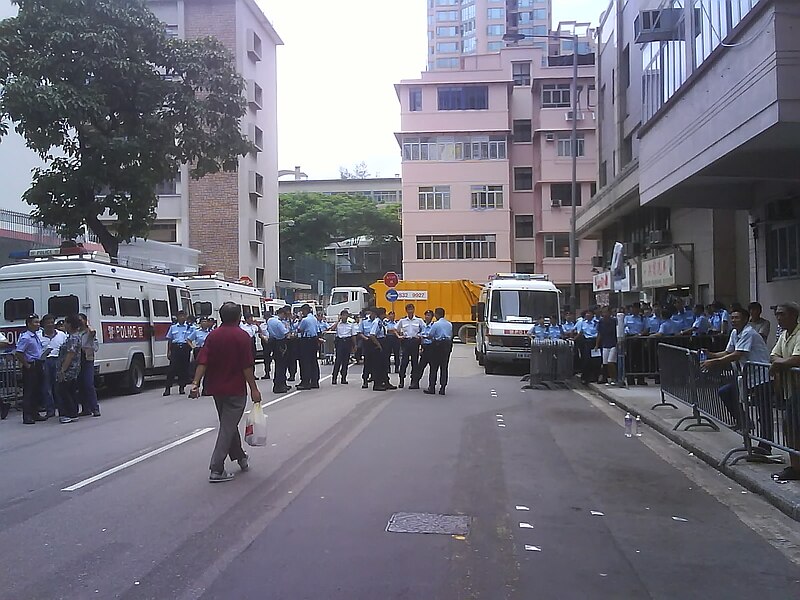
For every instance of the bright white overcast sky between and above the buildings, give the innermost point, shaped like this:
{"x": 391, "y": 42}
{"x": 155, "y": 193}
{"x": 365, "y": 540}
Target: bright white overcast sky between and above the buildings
{"x": 336, "y": 101}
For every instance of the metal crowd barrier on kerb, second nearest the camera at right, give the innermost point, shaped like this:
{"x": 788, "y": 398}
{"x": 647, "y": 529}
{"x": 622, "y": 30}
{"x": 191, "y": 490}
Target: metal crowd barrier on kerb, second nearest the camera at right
{"x": 684, "y": 380}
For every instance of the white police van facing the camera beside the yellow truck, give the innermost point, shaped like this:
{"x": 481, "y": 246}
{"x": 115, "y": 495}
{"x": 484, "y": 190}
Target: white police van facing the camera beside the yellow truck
{"x": 506, "y": 311}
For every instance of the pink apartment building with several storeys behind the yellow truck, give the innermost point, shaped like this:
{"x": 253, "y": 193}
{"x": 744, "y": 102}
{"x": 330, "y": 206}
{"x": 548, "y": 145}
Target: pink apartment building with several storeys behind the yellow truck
{"x": 487, "y": 168}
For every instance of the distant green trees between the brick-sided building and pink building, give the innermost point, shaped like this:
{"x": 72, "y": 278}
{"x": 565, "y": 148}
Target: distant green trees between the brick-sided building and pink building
{"x": 321, "y": 220}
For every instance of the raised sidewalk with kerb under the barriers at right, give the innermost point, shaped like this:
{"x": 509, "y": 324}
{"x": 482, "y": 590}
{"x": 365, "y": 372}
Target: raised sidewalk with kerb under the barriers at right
{"x": 707, "y": 444}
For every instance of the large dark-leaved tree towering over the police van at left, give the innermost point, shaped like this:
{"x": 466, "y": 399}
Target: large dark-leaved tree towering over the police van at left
{"x": 113, "y": 106}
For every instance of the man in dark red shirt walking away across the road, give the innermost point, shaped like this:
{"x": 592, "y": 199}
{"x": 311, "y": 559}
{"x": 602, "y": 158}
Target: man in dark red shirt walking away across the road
{"x": 227, "y": 362}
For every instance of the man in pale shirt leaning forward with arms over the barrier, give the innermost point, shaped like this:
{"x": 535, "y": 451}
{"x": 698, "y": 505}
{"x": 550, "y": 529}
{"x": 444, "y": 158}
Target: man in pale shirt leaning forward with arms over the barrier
{"x": 744, "y": 345}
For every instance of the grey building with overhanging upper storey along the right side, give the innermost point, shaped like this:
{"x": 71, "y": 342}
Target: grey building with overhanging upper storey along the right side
{"x": 699, "y": 147}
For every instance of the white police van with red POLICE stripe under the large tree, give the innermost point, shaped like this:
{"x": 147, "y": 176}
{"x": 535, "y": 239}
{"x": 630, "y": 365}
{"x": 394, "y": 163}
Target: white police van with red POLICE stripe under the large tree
{"x": 131, "y": 309}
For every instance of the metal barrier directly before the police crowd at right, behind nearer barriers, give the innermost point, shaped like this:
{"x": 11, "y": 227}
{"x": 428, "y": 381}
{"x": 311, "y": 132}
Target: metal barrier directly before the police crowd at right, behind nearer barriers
{"x": 641, "y": 357}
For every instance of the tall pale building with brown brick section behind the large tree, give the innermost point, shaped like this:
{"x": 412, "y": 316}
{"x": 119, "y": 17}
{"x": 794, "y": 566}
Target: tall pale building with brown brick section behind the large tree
{"x": 230, "y": 217}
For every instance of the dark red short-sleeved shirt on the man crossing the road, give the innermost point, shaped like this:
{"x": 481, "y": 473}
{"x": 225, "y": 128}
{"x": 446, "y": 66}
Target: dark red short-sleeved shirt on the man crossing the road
{"x": 227, "y": 352}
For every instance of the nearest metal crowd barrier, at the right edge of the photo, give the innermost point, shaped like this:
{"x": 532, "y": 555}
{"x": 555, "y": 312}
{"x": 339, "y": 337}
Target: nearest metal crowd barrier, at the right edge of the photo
{"x": 770, "y": 408}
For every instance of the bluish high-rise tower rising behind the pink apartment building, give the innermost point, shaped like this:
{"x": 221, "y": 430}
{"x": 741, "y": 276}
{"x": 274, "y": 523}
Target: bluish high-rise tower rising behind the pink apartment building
{"x": 461, "y": 28}
